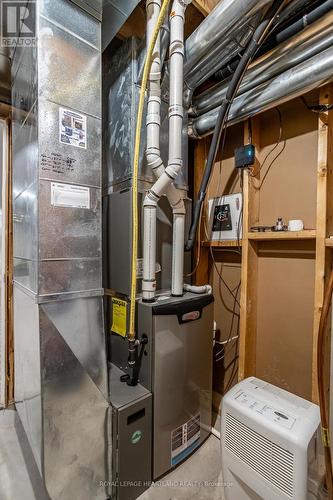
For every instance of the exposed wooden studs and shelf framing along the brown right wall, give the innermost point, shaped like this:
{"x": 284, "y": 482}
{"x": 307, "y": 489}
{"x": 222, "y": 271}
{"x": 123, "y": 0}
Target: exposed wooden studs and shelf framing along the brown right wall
{"x": 315, "y": 244}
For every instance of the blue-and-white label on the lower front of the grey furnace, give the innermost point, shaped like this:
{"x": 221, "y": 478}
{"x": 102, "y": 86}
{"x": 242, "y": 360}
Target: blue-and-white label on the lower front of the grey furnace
{"x": 185, "y": 439}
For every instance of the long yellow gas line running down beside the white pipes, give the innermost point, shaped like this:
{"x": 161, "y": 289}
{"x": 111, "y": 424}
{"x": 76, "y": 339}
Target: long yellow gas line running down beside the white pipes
{"x": 135, "y": 226}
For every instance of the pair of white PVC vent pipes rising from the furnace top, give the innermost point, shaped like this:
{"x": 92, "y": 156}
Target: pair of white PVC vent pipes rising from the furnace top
{"x": 165, "y": 177}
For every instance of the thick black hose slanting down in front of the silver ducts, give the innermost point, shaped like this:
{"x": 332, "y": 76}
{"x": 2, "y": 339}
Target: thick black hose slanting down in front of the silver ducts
{"x": 259, "y": 36}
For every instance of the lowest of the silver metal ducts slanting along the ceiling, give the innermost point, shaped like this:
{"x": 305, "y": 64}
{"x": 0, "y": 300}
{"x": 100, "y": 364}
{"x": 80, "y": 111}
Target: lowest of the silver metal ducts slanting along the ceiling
{"x": 292, "y": 83}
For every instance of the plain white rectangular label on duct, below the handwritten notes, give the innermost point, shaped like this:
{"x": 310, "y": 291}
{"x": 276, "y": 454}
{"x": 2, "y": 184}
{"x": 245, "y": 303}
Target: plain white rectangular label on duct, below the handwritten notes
{"x": 70, "y": 196}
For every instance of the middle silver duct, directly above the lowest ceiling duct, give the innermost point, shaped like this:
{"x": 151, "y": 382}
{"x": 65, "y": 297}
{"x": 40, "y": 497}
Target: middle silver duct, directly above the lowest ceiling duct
{"x": 301, "y": 47}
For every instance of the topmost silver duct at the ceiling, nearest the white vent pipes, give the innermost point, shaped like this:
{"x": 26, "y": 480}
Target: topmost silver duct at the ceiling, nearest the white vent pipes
{"x": 217, "y": 26}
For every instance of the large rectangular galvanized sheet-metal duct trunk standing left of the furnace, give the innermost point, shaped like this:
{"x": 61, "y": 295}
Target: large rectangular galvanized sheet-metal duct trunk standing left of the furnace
{"x": 61, "y": 377}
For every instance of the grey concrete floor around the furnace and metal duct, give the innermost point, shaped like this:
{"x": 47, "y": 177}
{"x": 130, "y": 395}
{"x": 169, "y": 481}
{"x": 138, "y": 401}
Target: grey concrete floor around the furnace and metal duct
{"x": 199, "y": 478}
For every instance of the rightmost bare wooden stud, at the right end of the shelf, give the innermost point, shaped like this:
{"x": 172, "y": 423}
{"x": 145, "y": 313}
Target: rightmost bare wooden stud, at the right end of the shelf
{"x": 324, "y": 218}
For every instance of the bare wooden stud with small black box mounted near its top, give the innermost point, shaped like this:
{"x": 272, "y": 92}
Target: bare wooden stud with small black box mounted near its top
{"x": 249, "y": 273}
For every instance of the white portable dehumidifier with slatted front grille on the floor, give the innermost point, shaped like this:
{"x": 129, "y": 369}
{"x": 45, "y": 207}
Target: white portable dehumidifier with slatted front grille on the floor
{"x": 270, "y": 444}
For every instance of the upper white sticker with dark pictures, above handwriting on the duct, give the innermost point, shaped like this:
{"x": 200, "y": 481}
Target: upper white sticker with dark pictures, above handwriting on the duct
{"x": 72, "y": 128}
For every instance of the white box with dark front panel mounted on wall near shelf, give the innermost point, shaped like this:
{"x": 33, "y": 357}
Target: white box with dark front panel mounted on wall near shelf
{"x": 225, "y": 217}
